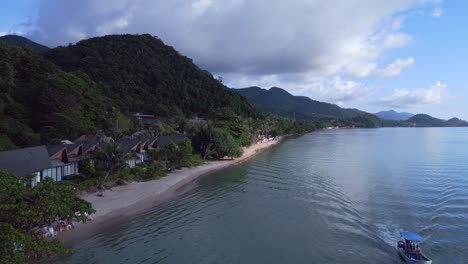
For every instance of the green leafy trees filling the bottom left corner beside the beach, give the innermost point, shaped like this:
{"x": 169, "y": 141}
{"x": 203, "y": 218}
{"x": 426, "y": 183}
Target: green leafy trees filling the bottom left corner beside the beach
{"x": 24, "y": 210}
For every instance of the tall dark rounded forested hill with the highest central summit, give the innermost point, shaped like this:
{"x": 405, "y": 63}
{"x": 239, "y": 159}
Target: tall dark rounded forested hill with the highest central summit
{"x": 142, "y": 74}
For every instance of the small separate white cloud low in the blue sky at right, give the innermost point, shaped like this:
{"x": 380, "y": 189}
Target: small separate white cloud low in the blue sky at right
{"x": 405, "y": 98}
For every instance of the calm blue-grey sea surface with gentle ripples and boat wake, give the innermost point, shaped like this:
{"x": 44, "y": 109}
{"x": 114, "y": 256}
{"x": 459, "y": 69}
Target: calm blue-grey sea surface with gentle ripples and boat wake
{"x": 335, "y": 196}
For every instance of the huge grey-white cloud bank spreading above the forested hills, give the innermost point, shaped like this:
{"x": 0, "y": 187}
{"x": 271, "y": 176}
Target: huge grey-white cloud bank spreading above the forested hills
{"x": 318, "y": 40}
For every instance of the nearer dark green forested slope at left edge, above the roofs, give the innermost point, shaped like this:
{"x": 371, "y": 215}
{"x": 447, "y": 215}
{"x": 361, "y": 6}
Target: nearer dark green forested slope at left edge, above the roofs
{"x": 39, "y": 102}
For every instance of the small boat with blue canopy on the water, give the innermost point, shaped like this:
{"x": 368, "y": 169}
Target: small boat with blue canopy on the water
{"x": 409, "y": 249}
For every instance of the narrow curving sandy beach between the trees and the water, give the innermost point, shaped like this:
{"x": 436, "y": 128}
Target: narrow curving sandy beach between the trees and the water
{"x": 127, "y": 201}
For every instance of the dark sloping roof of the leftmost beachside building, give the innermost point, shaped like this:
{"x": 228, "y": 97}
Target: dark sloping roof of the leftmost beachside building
{"x": 25, "y": 161}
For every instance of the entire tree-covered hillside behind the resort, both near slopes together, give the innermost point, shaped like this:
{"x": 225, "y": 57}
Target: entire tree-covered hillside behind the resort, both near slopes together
{"x": 42, "y": 102}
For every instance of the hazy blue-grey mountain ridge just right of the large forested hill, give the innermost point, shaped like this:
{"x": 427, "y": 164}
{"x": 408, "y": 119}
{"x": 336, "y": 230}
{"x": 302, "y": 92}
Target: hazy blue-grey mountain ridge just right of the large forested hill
{"x": 280, "y": 102}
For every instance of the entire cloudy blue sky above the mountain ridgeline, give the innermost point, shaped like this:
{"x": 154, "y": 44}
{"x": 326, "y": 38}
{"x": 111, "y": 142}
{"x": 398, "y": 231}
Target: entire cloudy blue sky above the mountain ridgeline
{"x": 407, "y": 55}
